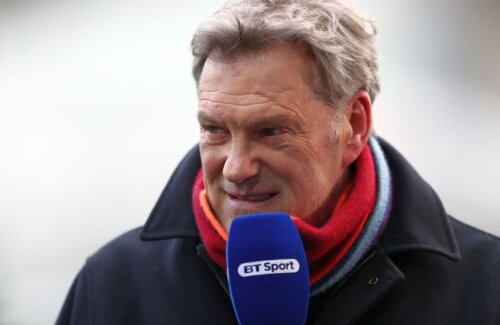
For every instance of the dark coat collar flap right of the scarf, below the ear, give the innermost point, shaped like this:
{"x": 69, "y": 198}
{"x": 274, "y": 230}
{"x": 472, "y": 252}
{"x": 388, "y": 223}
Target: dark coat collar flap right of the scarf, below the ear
{"x": 418, "y": 219}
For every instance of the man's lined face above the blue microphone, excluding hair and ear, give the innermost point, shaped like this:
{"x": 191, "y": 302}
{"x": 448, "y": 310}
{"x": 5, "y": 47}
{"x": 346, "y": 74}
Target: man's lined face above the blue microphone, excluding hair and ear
{"x": 266, "y": 139}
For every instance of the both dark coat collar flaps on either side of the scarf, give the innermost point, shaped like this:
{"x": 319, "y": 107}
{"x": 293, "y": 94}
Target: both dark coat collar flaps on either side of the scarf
{"x": 417, "y": 221}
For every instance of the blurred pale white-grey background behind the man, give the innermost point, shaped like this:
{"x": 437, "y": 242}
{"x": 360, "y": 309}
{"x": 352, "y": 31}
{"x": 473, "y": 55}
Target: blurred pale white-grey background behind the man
{"x": 98, "y": 106}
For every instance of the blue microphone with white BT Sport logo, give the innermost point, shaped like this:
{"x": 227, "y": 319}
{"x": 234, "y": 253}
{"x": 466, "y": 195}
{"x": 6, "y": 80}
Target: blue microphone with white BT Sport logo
{"x": 267, "y": 270}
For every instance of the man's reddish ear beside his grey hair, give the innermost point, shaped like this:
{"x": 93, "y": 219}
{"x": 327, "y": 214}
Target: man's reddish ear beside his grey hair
{"x": 358, "y": 121}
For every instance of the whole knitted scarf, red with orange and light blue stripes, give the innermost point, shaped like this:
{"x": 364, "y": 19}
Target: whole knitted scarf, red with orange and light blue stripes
{"x": 334, "y": 248}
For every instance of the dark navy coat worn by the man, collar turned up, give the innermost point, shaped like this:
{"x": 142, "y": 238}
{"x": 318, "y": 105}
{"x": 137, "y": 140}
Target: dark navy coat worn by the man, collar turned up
{"x": 428, "y": 268}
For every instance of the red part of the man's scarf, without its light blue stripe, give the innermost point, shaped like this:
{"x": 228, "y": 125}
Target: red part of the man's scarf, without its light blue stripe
{"x": 325, "y": 246}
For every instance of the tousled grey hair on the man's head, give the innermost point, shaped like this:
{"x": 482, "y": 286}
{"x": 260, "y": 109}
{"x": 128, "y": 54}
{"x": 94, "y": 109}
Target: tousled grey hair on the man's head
{"x": 341, "y": 41}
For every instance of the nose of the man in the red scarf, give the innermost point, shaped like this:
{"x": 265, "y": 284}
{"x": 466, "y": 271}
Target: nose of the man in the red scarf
{"x": 241, "y": 163}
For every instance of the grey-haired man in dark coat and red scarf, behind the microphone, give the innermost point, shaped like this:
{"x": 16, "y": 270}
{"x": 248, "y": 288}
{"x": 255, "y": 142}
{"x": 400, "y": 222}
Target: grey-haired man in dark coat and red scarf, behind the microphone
{"x": 285, "y": 90}
